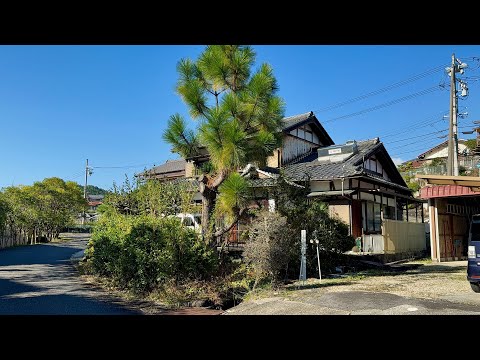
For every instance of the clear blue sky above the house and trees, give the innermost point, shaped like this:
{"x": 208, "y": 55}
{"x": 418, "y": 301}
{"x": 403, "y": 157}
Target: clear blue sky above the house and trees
{"x": 60, "y": 105}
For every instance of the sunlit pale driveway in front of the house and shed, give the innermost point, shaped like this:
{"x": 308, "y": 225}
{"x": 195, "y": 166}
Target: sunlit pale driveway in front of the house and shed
{"x": 424, "y": 289}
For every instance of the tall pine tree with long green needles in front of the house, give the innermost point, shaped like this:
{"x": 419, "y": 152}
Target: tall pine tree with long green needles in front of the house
{"x": 238, "y": 119}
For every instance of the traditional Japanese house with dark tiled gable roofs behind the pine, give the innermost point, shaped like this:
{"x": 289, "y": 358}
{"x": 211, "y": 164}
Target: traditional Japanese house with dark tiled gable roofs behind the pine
{"x": 358, "y": 180}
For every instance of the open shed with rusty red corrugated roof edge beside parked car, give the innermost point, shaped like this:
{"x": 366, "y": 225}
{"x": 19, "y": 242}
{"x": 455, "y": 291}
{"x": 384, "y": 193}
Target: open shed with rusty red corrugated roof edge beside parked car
{"x": 452, "y": 200}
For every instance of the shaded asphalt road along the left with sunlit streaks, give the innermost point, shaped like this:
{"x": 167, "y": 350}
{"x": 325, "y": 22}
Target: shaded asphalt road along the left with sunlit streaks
{"x": 41, "y": 280}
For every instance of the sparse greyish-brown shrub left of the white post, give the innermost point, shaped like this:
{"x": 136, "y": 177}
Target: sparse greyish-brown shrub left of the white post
{"x": 269, "y": 247}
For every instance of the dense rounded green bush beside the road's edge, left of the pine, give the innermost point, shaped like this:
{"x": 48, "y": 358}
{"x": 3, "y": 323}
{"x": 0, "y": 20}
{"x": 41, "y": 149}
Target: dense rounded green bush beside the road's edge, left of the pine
{"x": 141, "y": 253}
